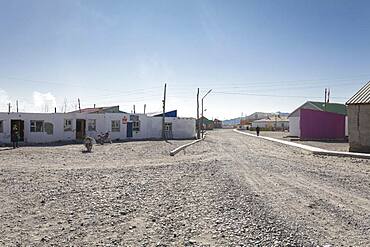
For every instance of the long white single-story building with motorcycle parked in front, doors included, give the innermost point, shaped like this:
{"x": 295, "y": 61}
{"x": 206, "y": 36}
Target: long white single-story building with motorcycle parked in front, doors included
{"x": 59, "y": 127}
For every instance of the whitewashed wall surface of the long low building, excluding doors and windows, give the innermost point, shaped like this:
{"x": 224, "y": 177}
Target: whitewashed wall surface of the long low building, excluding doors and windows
{"x": 150, "y": 127}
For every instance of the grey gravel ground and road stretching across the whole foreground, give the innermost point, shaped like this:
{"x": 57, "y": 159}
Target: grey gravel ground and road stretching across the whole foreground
{"x": 229, "y": 190}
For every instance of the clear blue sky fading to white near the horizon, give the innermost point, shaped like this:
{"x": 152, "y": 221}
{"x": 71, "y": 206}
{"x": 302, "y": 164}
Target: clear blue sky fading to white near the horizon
{"x": 255, "y": 55}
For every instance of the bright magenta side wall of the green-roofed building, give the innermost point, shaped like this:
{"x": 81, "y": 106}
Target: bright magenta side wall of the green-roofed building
{"x": 321, "y": 125}
